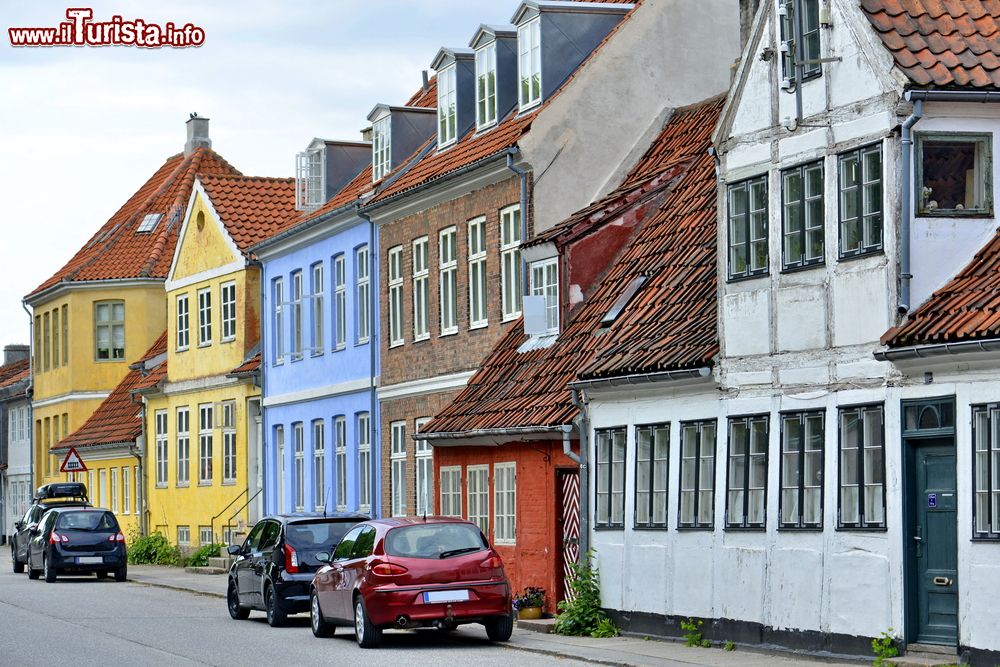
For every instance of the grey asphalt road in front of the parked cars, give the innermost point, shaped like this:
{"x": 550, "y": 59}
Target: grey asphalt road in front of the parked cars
{"x": 86, "y": 621}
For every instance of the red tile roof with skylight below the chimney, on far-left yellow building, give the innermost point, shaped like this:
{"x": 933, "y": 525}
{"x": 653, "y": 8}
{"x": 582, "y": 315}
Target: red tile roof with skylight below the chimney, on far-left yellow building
{"x": 117, "y": 251}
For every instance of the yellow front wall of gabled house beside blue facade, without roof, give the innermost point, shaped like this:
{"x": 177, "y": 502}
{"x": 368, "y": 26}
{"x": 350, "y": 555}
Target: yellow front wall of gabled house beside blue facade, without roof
{"x": 200, "y": 423}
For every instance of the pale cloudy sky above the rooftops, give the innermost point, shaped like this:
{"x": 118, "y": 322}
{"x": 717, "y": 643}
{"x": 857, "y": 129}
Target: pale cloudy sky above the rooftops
{"x": 82, "y": 128}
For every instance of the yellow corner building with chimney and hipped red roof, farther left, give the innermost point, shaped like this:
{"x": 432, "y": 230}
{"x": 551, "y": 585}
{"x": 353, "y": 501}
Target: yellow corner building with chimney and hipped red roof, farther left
{"x": 101, "y": 310}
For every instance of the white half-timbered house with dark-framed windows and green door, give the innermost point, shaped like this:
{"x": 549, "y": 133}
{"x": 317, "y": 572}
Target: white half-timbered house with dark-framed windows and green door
{"x": 836, "y": 472}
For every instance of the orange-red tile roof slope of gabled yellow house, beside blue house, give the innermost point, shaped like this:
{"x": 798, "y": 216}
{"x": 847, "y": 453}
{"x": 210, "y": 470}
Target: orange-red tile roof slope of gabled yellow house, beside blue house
{"x": 252, "y": 208}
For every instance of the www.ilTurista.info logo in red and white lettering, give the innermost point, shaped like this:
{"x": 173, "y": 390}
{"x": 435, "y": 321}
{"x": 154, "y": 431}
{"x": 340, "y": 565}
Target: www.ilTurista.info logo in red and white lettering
{"x": 82, "y": 30}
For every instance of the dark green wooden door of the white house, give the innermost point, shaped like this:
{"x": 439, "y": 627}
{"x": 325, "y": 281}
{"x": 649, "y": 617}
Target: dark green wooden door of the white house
{"x": 934, "y": 543}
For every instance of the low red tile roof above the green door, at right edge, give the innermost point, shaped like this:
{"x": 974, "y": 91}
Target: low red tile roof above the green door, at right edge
{"x": 967, "y": 307}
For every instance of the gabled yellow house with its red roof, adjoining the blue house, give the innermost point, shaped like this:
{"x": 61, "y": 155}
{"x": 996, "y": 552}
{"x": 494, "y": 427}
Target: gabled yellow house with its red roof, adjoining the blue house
{"x": 203, "y": 417}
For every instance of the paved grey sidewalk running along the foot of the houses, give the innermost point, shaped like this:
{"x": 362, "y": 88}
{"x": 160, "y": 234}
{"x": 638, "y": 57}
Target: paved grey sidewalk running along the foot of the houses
{"x": 625, "y": 651}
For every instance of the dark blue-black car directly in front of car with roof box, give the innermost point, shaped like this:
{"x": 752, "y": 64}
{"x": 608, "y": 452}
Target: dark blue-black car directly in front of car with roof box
{"x": 77, "y": 540}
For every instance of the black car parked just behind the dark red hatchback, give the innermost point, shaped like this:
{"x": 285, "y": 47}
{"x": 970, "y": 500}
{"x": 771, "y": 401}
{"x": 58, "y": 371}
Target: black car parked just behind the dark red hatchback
{"x": 274, "y": 566}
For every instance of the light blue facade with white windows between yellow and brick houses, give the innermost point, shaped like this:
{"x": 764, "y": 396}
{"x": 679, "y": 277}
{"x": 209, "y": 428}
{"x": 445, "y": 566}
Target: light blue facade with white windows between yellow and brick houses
{"x": 317, "y": 379}
